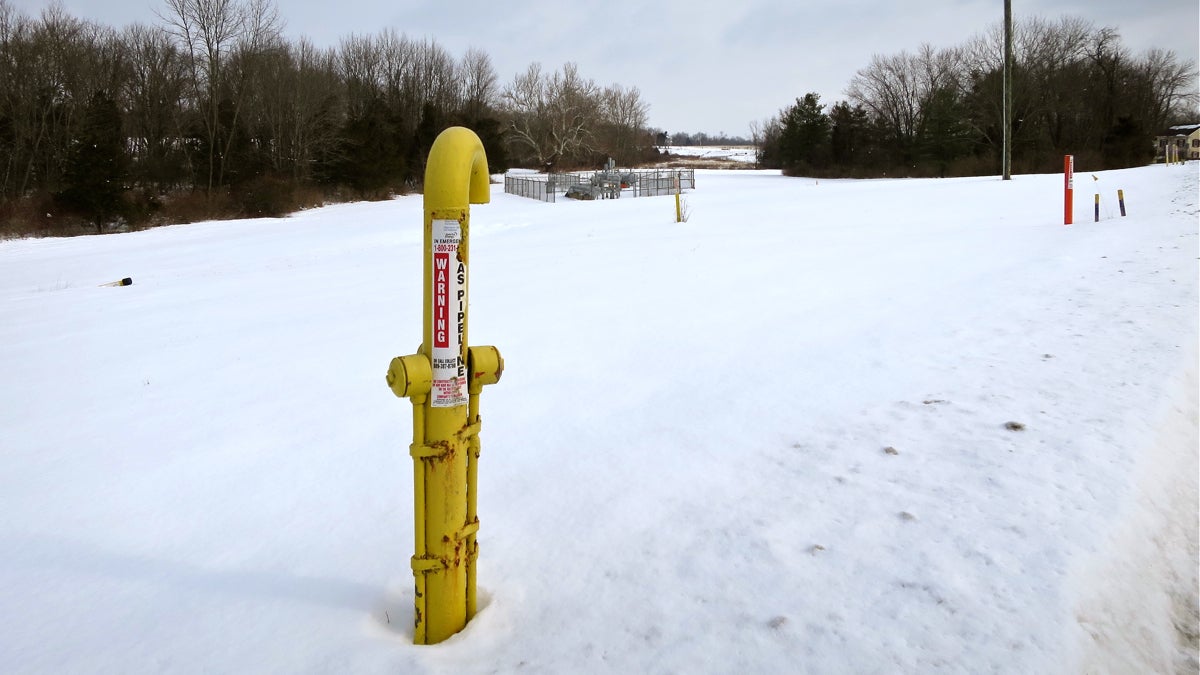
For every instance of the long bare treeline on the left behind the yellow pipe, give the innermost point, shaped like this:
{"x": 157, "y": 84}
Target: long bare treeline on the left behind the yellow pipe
{"x": 213, "y": 114}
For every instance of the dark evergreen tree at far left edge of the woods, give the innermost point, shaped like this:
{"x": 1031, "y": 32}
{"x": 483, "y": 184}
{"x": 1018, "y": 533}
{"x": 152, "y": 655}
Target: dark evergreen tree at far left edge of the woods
{"x": 98, "y": 166}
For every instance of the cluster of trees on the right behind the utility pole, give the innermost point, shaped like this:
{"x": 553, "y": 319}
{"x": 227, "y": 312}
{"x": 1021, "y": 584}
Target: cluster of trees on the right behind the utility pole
{"x": 939, "y": 112}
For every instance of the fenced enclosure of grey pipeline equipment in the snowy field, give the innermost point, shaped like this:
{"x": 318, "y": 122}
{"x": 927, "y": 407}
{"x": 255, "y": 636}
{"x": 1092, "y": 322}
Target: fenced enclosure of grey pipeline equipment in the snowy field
{"x": 601, "y": 184}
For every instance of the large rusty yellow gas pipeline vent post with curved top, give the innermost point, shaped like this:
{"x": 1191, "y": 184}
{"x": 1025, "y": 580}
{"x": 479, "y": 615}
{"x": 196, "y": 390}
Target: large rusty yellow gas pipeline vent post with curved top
{"x": 445, "y": 381}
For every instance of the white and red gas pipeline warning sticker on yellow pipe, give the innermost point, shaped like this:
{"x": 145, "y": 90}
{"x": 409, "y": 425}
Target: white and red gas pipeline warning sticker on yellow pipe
{"x": 449, "y": 316}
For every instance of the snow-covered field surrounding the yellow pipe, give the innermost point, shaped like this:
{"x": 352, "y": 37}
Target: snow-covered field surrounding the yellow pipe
{"x": 773, "y": 439}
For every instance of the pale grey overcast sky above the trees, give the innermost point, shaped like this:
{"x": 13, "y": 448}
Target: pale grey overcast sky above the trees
{"x": 711, "y": 67}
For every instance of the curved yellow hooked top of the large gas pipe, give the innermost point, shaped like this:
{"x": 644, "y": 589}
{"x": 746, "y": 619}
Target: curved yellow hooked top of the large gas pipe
{"x": 457, "y": 174}
